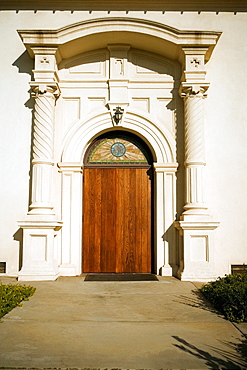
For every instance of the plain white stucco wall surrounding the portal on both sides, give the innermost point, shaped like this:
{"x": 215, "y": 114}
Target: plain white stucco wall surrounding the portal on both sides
{"x": 225, "y": 124}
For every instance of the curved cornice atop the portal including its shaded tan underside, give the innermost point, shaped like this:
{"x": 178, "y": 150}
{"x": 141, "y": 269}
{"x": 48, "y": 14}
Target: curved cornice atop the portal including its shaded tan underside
{"x": 168, "y": 40}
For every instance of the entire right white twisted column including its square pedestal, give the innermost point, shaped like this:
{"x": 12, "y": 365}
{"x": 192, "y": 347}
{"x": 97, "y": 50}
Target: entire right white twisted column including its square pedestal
{"x": 196, "y": 226}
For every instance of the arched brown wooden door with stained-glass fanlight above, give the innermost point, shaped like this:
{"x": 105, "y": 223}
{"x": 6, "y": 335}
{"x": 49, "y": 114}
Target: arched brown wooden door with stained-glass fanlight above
{"x": 117, "y": 205}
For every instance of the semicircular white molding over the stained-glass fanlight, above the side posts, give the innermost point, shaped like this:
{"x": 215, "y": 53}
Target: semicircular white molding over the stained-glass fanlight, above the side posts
{"x": 81, "y": 134}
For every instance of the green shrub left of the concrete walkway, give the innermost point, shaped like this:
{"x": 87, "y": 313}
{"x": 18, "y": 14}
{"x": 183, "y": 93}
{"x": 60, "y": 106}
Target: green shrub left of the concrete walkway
{"x": 12, "y": 296}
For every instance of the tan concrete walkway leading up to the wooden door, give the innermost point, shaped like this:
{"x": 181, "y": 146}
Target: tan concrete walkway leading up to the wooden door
{"x": 71, "y": 323}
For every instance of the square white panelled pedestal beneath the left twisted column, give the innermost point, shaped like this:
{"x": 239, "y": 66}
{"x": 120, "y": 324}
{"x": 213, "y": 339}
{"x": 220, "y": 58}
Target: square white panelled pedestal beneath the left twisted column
{"x": 39, "y": 250}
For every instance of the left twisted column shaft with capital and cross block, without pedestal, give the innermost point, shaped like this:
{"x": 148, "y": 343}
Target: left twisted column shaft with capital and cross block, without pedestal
{"x": 45, "y": 91}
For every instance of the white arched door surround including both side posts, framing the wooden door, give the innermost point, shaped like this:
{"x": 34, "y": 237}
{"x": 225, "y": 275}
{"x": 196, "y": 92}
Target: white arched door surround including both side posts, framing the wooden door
{"x": 162, "y": 147}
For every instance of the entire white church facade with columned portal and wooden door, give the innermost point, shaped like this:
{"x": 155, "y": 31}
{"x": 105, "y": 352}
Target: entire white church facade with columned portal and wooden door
{"x": 123, "y": 139}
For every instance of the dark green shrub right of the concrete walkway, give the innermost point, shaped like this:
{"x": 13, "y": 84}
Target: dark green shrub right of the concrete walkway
{"x": 229, "y": 296}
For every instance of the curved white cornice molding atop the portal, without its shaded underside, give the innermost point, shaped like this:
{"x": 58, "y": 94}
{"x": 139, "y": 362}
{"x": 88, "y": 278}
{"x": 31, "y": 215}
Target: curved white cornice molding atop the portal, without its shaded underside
{"x": 30, "y": 38}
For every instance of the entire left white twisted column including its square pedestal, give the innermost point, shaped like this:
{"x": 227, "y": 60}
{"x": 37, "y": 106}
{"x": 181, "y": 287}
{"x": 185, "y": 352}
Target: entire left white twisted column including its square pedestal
{"x": 41, "y": 226}
